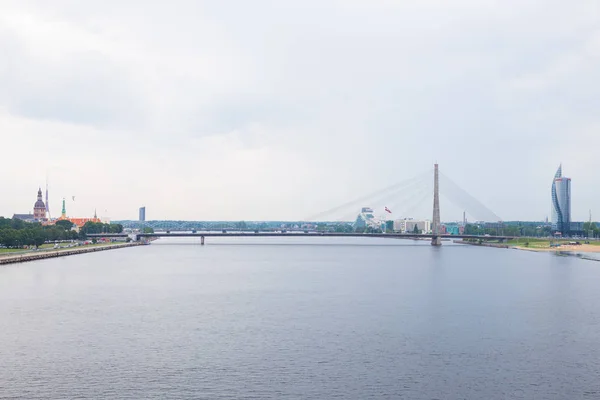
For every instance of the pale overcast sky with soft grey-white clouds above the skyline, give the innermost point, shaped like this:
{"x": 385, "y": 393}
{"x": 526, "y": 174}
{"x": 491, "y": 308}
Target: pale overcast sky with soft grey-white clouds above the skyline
{"x": 281, "y": 109}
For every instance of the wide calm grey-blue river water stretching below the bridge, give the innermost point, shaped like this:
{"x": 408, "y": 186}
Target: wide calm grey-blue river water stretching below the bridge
{"x": 320, "y": 318}
